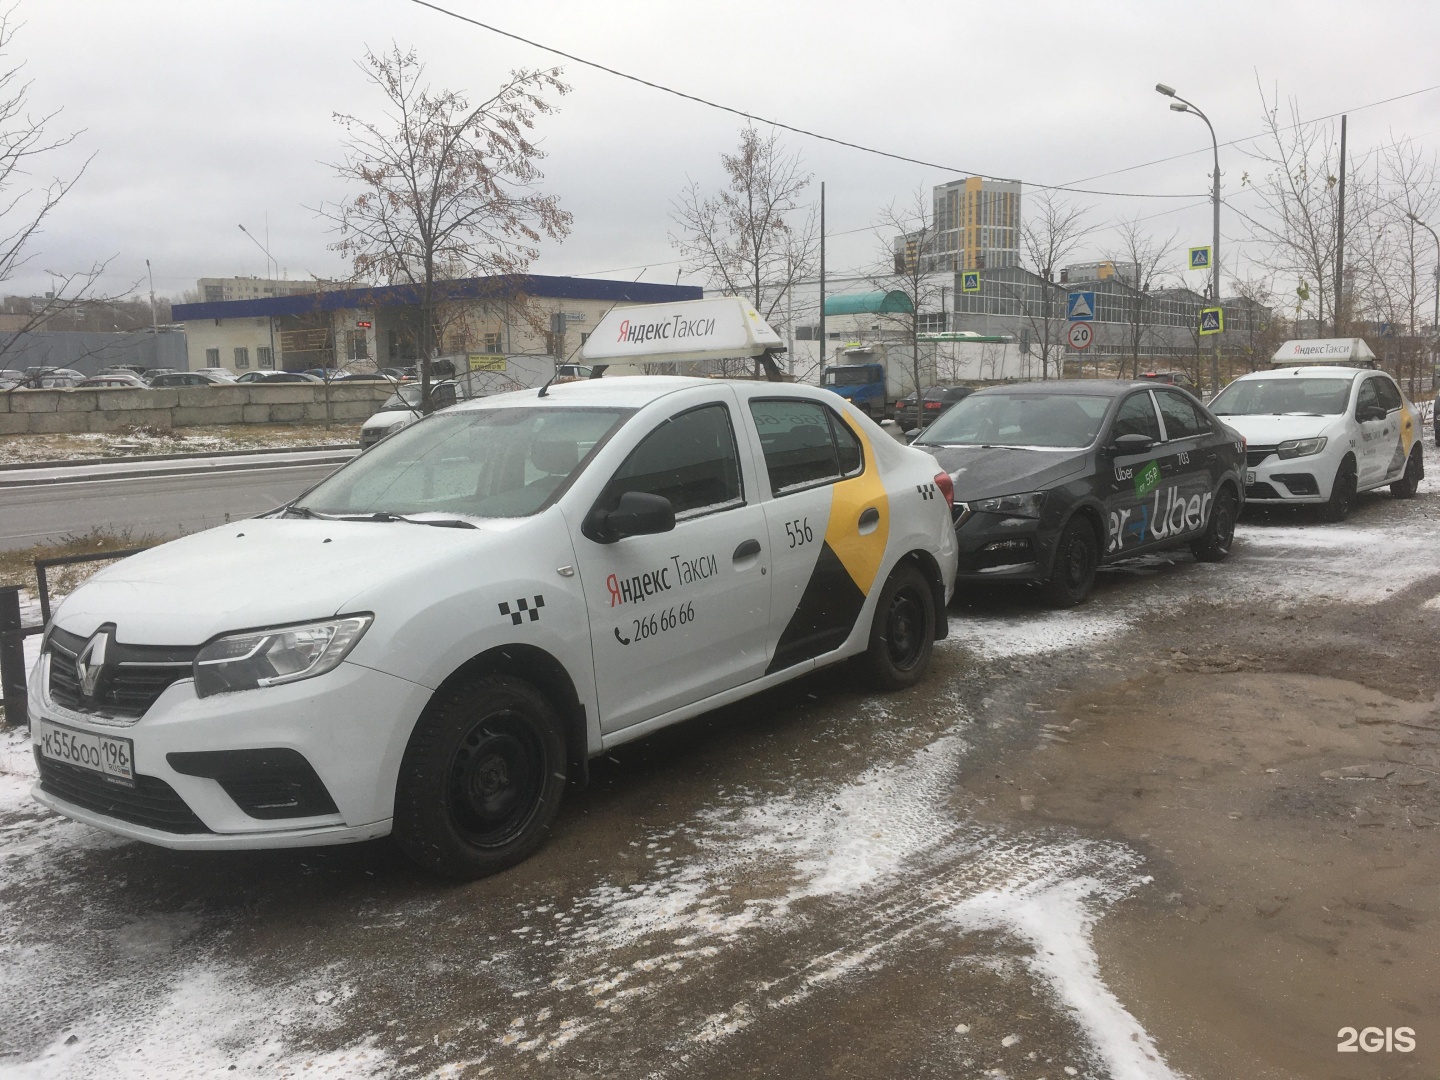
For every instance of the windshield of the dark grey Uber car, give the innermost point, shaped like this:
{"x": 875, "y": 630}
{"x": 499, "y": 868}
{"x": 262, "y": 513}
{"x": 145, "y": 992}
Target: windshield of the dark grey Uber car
{"x": 1020, "y": 420}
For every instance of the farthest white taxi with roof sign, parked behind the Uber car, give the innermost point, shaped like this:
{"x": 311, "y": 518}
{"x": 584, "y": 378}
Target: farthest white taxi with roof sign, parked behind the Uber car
{"x": 1321, "y": 433}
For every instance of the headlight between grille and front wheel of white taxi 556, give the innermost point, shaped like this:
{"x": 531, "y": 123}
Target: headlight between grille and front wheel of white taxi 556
{"x": 276, "y": 656}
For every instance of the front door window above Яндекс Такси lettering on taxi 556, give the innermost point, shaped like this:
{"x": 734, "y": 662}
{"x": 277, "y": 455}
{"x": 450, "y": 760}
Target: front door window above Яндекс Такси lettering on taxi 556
{"x": 692, "y": 460}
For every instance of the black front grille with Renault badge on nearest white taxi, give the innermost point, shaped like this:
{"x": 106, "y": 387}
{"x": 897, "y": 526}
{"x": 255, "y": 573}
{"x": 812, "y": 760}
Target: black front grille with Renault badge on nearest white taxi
{"x": 133, "y": 676}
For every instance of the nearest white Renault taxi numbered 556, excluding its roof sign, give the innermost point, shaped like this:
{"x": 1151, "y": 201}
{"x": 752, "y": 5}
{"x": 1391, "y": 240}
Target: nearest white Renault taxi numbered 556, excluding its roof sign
{"x": 437, "y": 639}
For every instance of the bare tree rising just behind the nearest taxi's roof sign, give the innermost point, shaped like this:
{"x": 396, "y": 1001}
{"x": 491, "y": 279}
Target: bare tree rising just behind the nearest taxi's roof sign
{"x": 755, "y": 238}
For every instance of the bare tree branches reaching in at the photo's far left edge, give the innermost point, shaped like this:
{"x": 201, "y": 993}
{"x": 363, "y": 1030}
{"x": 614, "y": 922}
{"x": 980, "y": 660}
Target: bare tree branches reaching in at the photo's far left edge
{"x": 25, "y": 208}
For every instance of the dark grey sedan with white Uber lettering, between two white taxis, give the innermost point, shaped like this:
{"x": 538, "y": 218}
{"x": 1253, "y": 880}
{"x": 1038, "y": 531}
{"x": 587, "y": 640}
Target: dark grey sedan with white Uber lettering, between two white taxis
{"x": 1055, "y": 479}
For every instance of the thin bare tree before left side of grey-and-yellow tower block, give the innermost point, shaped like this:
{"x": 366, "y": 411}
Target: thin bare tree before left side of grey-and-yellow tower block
{"x": 906, "y": 237}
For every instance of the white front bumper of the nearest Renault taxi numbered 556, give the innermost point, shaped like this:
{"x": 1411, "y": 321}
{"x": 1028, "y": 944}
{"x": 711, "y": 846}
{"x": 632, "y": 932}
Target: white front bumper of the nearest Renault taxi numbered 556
{"x": 351, "y": 726}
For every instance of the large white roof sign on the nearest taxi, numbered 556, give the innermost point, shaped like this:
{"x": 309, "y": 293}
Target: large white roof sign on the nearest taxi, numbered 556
{"x": 692, "y": 330}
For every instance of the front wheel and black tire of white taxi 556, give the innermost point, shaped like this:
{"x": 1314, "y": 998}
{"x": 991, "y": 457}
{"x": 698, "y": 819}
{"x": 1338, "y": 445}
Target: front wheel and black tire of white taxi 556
{"x": 482, "y": 780}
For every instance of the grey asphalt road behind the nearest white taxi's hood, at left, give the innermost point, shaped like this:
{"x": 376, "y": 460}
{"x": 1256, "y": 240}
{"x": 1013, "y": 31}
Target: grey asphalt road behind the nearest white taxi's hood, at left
{"x": 156, "y": 506}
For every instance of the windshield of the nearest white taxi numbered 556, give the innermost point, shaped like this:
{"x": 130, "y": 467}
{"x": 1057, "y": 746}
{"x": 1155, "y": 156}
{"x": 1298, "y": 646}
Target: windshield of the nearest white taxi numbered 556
{"x": 489, "y": 463}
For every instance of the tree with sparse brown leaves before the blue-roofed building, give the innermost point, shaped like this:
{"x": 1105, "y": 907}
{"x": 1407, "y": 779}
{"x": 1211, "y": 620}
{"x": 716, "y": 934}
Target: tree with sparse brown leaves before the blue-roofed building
{"x": 447, "y": 188}
